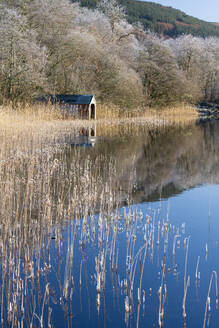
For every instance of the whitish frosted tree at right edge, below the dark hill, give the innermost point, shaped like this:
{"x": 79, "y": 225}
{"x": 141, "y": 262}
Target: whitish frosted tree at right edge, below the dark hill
{"x": 198, "y": 58}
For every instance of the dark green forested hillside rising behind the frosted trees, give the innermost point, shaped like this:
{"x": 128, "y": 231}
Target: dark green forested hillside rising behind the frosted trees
{"x": 161, "y": 19}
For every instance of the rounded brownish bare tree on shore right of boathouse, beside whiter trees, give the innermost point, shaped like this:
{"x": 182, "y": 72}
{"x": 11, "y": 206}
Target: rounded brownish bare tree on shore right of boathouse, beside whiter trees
{"x": 163, "y": 82}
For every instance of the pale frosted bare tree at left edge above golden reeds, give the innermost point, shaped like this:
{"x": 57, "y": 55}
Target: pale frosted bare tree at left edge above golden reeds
{"x": 22, "y": 60}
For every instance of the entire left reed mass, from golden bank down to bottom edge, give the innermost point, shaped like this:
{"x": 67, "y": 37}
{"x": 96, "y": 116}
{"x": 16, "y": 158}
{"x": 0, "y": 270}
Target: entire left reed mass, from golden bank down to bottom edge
{"x": 44, "y": 183}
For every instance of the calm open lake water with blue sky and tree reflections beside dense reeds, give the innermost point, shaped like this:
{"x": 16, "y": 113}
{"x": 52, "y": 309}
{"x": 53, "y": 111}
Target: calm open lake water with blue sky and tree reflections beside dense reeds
{"x": 135, "y": 263}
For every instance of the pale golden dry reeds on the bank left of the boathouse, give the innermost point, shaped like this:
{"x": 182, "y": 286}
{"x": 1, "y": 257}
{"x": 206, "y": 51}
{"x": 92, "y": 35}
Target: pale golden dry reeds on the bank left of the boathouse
{"x": 34, "y": 125}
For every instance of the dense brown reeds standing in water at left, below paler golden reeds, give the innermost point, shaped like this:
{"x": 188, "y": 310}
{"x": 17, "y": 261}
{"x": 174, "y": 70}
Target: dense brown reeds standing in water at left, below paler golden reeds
{"x": 40, "y": 192}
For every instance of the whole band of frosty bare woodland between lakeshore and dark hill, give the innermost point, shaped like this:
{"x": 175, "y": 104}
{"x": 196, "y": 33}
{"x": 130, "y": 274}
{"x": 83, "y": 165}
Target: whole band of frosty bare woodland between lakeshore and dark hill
{"x": 60, "y": 47}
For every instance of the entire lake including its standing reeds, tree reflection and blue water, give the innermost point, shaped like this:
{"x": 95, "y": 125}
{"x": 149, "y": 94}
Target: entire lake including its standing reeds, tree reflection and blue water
{"x": 112, "y": 226}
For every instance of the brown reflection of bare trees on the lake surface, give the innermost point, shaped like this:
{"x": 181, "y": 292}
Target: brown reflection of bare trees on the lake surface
{"x": 159, "y": 163}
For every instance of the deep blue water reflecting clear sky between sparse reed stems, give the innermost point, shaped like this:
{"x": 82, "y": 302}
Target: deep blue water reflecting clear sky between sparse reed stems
{"x": 197, "y": 210}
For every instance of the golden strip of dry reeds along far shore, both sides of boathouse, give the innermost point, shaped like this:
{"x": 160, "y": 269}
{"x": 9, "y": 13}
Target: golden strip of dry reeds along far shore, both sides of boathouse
{"x": 25, "y": 129}
